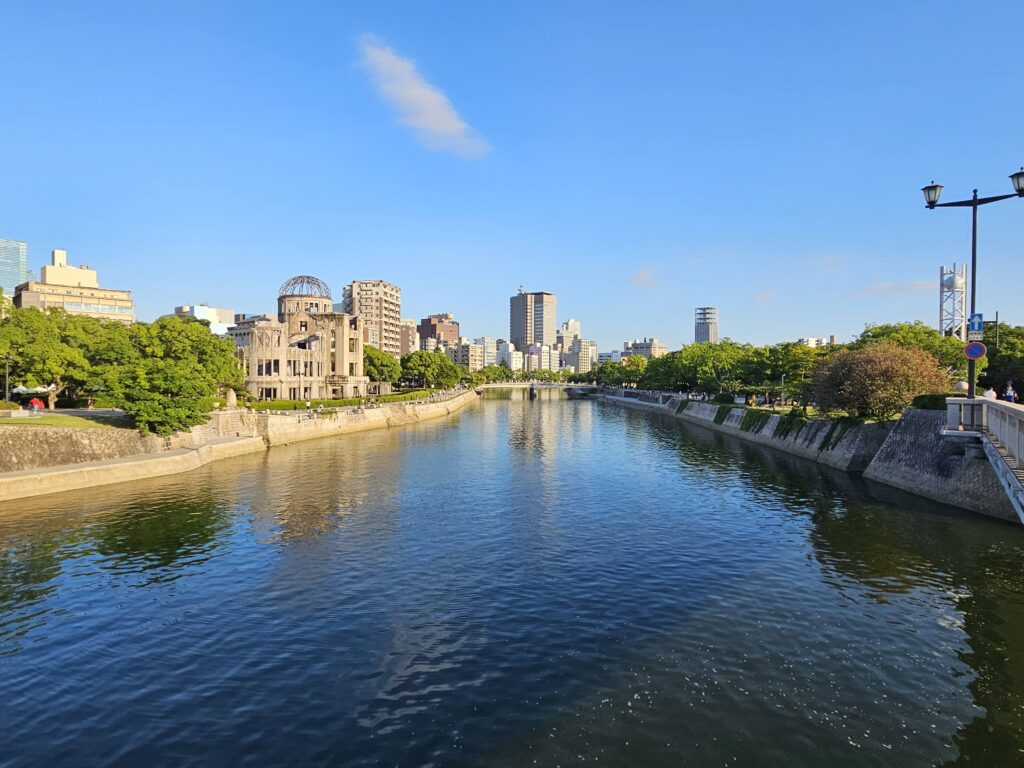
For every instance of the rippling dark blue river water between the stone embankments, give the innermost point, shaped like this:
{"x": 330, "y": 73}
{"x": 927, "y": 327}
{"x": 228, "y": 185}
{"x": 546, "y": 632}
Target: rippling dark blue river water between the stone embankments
{"x": 528, "y": 583}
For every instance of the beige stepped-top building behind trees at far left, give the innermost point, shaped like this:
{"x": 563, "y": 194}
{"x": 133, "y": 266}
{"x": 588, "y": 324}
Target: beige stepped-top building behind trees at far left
{"x": 75, "y": 290}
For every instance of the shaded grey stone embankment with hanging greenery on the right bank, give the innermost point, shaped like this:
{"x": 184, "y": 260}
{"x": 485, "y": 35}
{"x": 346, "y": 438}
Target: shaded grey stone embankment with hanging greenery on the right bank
{"x": 909, "y": 454}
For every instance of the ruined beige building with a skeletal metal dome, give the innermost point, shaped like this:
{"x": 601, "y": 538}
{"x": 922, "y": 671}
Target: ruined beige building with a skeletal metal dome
{"x": 309, "y": 353}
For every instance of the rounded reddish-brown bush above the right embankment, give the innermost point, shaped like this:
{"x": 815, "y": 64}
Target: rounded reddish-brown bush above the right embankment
{"x": 877, "y": 381}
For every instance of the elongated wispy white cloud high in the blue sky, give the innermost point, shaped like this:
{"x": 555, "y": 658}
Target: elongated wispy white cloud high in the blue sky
{"x": 422, "y": 107}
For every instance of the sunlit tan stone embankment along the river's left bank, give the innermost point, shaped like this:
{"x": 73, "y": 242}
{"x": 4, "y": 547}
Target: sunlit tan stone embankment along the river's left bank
{"x": 54, "y": 460}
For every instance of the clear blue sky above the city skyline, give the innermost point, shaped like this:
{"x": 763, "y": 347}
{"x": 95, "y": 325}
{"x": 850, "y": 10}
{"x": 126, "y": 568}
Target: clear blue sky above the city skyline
{"x": 636, "y": 159}
